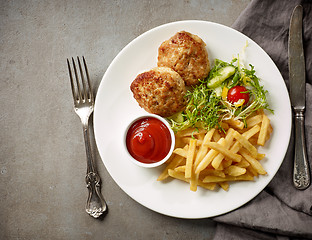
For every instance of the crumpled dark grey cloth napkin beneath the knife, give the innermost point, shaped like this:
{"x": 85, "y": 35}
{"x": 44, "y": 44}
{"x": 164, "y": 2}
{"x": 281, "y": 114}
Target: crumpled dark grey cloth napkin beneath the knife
{"x": 280, "y": 211}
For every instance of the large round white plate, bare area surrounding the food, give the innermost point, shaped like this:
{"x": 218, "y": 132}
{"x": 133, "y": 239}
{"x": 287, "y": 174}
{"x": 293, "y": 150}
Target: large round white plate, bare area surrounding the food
{"x": 115, "y": 107}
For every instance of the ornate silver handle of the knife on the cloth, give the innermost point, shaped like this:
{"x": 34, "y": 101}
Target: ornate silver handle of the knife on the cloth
{"x": 301, "y": 174}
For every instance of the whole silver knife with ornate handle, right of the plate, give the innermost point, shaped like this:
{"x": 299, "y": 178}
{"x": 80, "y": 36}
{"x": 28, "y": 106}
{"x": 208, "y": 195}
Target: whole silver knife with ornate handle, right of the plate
{"x": 301, "y": 174}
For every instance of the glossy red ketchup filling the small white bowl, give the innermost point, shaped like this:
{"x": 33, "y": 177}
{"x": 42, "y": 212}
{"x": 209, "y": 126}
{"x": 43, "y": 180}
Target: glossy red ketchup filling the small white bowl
{"x": 148, "y": 140}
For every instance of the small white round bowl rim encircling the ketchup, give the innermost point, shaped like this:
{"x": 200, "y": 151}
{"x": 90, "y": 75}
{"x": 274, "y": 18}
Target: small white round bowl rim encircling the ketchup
{"x": 154, "y": 164}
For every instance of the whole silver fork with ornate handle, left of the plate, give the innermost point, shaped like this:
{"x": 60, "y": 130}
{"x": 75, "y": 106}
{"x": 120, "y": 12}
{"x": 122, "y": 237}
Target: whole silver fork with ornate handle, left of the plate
{"x": 84, "y": 105}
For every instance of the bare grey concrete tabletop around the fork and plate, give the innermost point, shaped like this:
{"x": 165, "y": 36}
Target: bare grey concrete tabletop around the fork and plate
{"x": 42, "y": 156}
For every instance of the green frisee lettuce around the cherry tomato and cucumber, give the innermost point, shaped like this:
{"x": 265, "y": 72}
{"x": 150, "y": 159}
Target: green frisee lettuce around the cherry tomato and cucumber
{"x": 206, "y": 108}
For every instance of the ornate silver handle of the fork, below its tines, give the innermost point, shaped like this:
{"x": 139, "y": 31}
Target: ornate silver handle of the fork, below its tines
{"x": 95, "y": 203}
